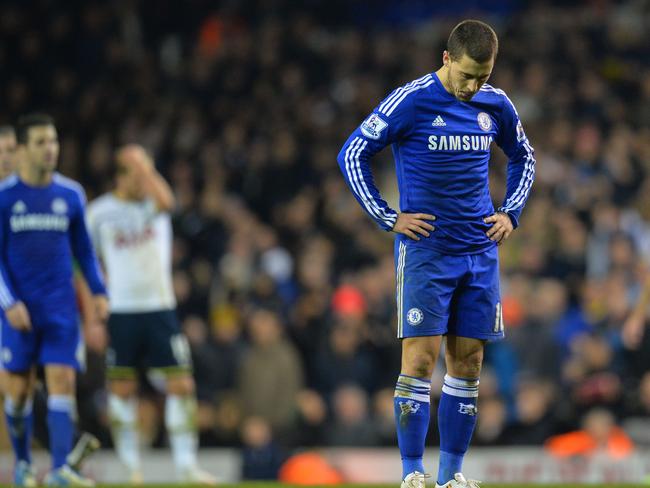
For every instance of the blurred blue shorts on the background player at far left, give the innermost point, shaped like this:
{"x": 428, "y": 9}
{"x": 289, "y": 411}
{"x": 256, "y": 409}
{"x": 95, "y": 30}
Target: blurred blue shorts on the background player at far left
{"x": 46, "y": 343}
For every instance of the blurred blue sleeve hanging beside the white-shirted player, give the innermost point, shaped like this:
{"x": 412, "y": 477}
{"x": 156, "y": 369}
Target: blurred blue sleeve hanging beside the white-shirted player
{"x": 83, "y": 250}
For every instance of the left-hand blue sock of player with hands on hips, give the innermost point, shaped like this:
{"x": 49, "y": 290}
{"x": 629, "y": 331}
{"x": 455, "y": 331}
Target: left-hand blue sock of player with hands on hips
{"x": 412, "y": 407}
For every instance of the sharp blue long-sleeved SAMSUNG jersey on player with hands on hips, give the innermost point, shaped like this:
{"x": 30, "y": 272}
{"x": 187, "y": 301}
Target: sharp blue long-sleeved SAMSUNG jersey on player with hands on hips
{"x": 441, "y": 147}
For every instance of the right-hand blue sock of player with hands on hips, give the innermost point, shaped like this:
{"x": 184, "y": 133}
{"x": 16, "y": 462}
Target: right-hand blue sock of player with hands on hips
{"x": 456, "y": 421}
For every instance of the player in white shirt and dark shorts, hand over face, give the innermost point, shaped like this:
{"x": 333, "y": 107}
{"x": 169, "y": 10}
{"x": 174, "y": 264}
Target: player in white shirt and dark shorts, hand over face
{"x": 131, "y": 230}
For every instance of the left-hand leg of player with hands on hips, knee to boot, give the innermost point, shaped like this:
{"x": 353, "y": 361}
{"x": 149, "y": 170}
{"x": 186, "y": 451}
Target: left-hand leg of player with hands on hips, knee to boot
{"x": 412, "y": 405}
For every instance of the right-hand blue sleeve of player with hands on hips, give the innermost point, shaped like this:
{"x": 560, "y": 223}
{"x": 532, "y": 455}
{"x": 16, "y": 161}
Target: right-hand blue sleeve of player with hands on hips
{"x": 521, "y": 165}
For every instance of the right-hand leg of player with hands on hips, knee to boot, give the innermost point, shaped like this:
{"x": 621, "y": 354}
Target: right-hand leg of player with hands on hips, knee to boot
{"x": 457, "y": 409}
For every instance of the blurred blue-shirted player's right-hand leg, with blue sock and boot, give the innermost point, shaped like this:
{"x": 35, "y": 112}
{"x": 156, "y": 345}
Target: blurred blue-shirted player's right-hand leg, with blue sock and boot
{"x": 61, "y": 410}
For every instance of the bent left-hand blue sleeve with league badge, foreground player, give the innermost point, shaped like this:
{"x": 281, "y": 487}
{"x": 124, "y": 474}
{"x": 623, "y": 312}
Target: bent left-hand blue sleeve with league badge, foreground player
{"x": 390, "y": 121}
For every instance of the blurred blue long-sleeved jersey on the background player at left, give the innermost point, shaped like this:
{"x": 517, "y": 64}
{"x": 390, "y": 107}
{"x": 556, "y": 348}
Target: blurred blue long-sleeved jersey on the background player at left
{"x": 42, "y": 230}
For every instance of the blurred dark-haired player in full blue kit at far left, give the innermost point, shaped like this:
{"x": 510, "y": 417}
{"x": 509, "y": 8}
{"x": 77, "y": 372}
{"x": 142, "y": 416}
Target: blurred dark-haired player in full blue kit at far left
{"x": 43, "y": 229}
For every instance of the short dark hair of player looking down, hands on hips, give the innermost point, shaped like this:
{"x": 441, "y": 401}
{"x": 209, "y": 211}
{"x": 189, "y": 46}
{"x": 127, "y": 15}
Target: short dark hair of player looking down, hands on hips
{"x": 474, "y": 38}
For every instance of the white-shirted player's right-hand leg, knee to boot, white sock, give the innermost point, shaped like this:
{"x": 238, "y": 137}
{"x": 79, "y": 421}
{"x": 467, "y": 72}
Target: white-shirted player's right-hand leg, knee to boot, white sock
{"x": 180, "y": 421}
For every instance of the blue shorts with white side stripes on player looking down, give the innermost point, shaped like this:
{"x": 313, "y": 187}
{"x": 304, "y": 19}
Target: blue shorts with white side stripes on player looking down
{"x": 439, "y": 294}
